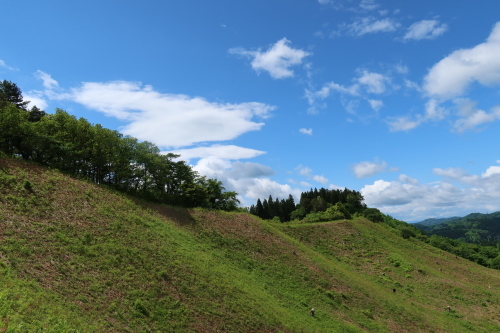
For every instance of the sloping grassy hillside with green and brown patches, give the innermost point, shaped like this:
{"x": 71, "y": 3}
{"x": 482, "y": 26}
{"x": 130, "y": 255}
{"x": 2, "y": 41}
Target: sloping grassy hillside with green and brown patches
{"x": 76, "y": 257}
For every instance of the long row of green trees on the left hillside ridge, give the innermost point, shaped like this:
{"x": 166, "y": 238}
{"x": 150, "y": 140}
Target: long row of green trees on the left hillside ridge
{"x": 103, "y": 156}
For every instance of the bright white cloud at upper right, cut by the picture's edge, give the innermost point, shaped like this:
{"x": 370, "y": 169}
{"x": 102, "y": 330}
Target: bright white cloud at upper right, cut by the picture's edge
{"x": 452, "y": 75}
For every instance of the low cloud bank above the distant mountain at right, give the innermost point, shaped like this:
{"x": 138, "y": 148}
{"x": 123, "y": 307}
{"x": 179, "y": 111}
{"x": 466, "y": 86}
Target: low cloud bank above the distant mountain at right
{"x": 458, "y": 193}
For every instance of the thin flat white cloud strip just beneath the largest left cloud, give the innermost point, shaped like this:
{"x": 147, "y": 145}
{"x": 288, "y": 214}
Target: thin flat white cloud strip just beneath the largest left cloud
{"x": 229, "y": 152}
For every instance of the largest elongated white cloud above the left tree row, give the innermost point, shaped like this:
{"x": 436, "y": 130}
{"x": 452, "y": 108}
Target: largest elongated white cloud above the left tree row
{"x": 169, "y": 120}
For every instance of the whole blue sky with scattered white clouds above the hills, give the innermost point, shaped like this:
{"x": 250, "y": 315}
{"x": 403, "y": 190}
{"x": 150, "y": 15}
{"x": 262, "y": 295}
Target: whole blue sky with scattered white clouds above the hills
{"x": 396, "y": 99}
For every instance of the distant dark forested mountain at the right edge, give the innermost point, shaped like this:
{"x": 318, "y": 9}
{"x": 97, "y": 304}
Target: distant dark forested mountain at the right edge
{"x": 473, "y": 228}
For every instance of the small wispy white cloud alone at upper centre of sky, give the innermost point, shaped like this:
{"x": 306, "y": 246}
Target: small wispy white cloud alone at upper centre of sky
{"x": 277, "y": 60}
